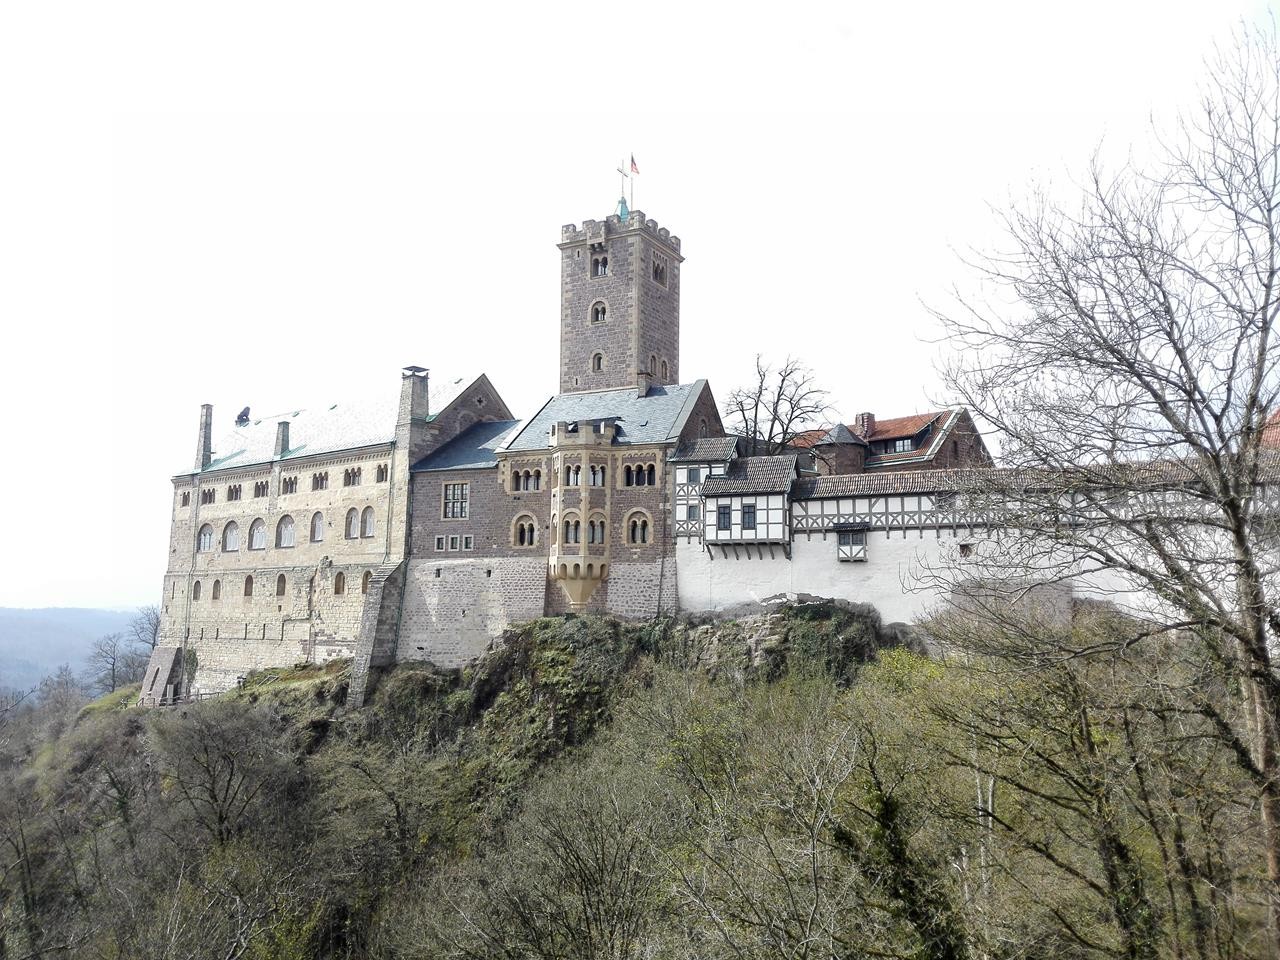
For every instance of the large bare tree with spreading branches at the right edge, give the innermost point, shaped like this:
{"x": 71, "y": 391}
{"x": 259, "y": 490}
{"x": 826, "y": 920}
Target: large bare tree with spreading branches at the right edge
{"x": 1131, "y": 383}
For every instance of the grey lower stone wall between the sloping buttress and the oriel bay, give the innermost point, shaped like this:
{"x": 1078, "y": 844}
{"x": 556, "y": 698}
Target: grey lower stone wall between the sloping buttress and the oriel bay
{"x": 454, "y": 609}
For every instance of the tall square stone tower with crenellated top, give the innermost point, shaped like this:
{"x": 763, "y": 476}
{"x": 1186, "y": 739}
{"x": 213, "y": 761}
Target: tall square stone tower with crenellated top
{"x": 620, "y": 305}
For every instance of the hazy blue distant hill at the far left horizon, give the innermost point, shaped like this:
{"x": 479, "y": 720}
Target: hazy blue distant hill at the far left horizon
{"x": 38, "y": 642}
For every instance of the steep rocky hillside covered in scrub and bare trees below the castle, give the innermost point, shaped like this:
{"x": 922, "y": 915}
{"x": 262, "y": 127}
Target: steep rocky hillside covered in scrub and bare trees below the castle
{"x": 797, "y": 784}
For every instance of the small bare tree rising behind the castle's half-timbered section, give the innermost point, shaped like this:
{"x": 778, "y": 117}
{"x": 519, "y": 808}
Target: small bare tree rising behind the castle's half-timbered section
{"x": 779, "y": 406}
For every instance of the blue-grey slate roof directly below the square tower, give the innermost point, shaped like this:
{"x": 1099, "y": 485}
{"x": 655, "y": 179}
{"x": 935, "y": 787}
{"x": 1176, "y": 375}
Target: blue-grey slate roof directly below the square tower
{"x": 657, "y": 417}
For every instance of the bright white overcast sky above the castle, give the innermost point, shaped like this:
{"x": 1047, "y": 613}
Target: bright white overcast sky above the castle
{"x": 272, "y": 204}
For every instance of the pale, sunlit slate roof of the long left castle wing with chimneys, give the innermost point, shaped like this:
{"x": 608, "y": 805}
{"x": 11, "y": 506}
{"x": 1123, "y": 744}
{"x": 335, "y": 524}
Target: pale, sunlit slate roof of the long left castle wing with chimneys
{"x": 323, "y": 428}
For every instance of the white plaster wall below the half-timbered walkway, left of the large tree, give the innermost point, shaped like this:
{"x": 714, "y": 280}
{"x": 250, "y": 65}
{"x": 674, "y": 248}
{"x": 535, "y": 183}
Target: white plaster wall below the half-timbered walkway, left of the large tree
{"x": 889, "y": 579}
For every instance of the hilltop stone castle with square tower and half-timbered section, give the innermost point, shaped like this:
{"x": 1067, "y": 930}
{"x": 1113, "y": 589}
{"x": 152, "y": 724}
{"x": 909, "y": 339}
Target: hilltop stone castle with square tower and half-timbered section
{"x": 419, "y": 525}
